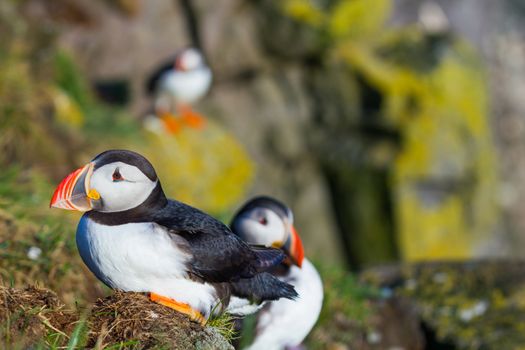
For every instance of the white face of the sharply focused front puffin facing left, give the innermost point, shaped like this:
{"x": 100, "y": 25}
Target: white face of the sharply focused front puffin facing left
{"x": 121, "y": 186}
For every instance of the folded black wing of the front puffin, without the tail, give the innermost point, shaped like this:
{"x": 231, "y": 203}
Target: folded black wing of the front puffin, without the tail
{"x": 218, "y": 254}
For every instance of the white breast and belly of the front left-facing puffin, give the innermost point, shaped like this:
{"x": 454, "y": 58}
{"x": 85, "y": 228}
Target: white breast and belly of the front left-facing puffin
{"x": 142, "y": 257}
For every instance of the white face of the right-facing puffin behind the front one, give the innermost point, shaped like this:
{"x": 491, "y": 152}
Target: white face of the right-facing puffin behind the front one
{"x": 261, "y": 226}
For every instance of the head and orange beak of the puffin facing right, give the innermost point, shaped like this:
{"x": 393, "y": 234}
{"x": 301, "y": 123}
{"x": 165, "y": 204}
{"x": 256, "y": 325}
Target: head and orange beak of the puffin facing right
{"x": 266, "y": 221}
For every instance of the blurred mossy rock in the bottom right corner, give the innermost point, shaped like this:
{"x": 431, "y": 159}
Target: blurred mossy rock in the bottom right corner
{"x": 466, "y": 305}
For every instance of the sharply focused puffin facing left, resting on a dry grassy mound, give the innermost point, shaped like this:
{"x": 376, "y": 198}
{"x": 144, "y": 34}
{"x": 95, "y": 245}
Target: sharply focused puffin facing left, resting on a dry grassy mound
{"x": 135, "y": 239}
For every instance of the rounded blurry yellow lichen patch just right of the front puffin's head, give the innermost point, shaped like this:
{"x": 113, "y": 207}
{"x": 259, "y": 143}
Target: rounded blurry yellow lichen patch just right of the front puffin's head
{"x": 203, "y": 167}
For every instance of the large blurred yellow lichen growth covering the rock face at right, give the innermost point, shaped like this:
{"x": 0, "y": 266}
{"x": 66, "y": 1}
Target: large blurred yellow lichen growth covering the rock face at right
{"x": 432, "y": 91}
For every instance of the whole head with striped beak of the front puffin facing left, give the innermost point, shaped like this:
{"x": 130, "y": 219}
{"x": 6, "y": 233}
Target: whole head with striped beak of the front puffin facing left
{"x": 114, "y": 181}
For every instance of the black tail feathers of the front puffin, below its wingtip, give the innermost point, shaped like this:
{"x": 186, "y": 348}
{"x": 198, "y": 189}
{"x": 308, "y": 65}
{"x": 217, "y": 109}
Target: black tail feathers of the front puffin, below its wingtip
{"x": 263, "y": 287}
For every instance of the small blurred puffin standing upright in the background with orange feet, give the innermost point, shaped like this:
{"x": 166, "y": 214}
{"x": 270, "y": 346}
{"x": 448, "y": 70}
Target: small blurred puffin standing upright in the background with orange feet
{"x": 177, "y": 85}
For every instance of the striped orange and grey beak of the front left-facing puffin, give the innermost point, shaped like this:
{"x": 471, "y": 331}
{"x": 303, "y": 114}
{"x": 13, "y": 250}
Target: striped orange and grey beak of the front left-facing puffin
{"x": 73, "y": 192}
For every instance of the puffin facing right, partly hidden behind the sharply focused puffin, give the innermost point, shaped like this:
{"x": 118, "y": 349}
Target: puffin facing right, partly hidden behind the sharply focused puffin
{"x": 281, "y": 324}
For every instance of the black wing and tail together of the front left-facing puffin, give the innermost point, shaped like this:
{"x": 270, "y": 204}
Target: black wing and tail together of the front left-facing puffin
{"x": 221, "y": 256}
